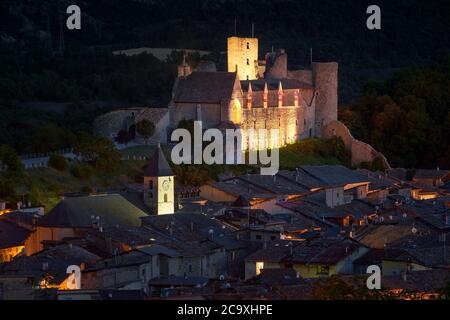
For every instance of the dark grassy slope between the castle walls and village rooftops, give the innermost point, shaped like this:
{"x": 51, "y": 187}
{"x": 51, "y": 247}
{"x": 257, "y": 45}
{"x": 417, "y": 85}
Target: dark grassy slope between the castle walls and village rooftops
{"x": 47, "y": 183}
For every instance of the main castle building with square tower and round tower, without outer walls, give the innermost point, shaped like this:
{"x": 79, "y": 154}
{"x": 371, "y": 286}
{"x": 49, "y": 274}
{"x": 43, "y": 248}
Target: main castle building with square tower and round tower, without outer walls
{"x": 257, "y": 94}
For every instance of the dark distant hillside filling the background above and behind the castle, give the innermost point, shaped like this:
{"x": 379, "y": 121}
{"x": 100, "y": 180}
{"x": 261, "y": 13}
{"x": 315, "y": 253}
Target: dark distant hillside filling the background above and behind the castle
{"x": 413, "y": 32}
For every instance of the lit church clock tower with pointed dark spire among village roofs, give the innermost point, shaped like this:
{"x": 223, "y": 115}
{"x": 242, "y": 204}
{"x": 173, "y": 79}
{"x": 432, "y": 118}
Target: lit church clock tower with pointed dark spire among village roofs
{"x": 159, "y": 184}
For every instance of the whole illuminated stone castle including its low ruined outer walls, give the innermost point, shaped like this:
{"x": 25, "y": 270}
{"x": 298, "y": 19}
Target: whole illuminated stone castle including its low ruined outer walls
{"x": 252, "y": 94}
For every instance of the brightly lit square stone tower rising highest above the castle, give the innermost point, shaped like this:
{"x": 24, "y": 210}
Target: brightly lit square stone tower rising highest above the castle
{"x": 243, "y": 57}
